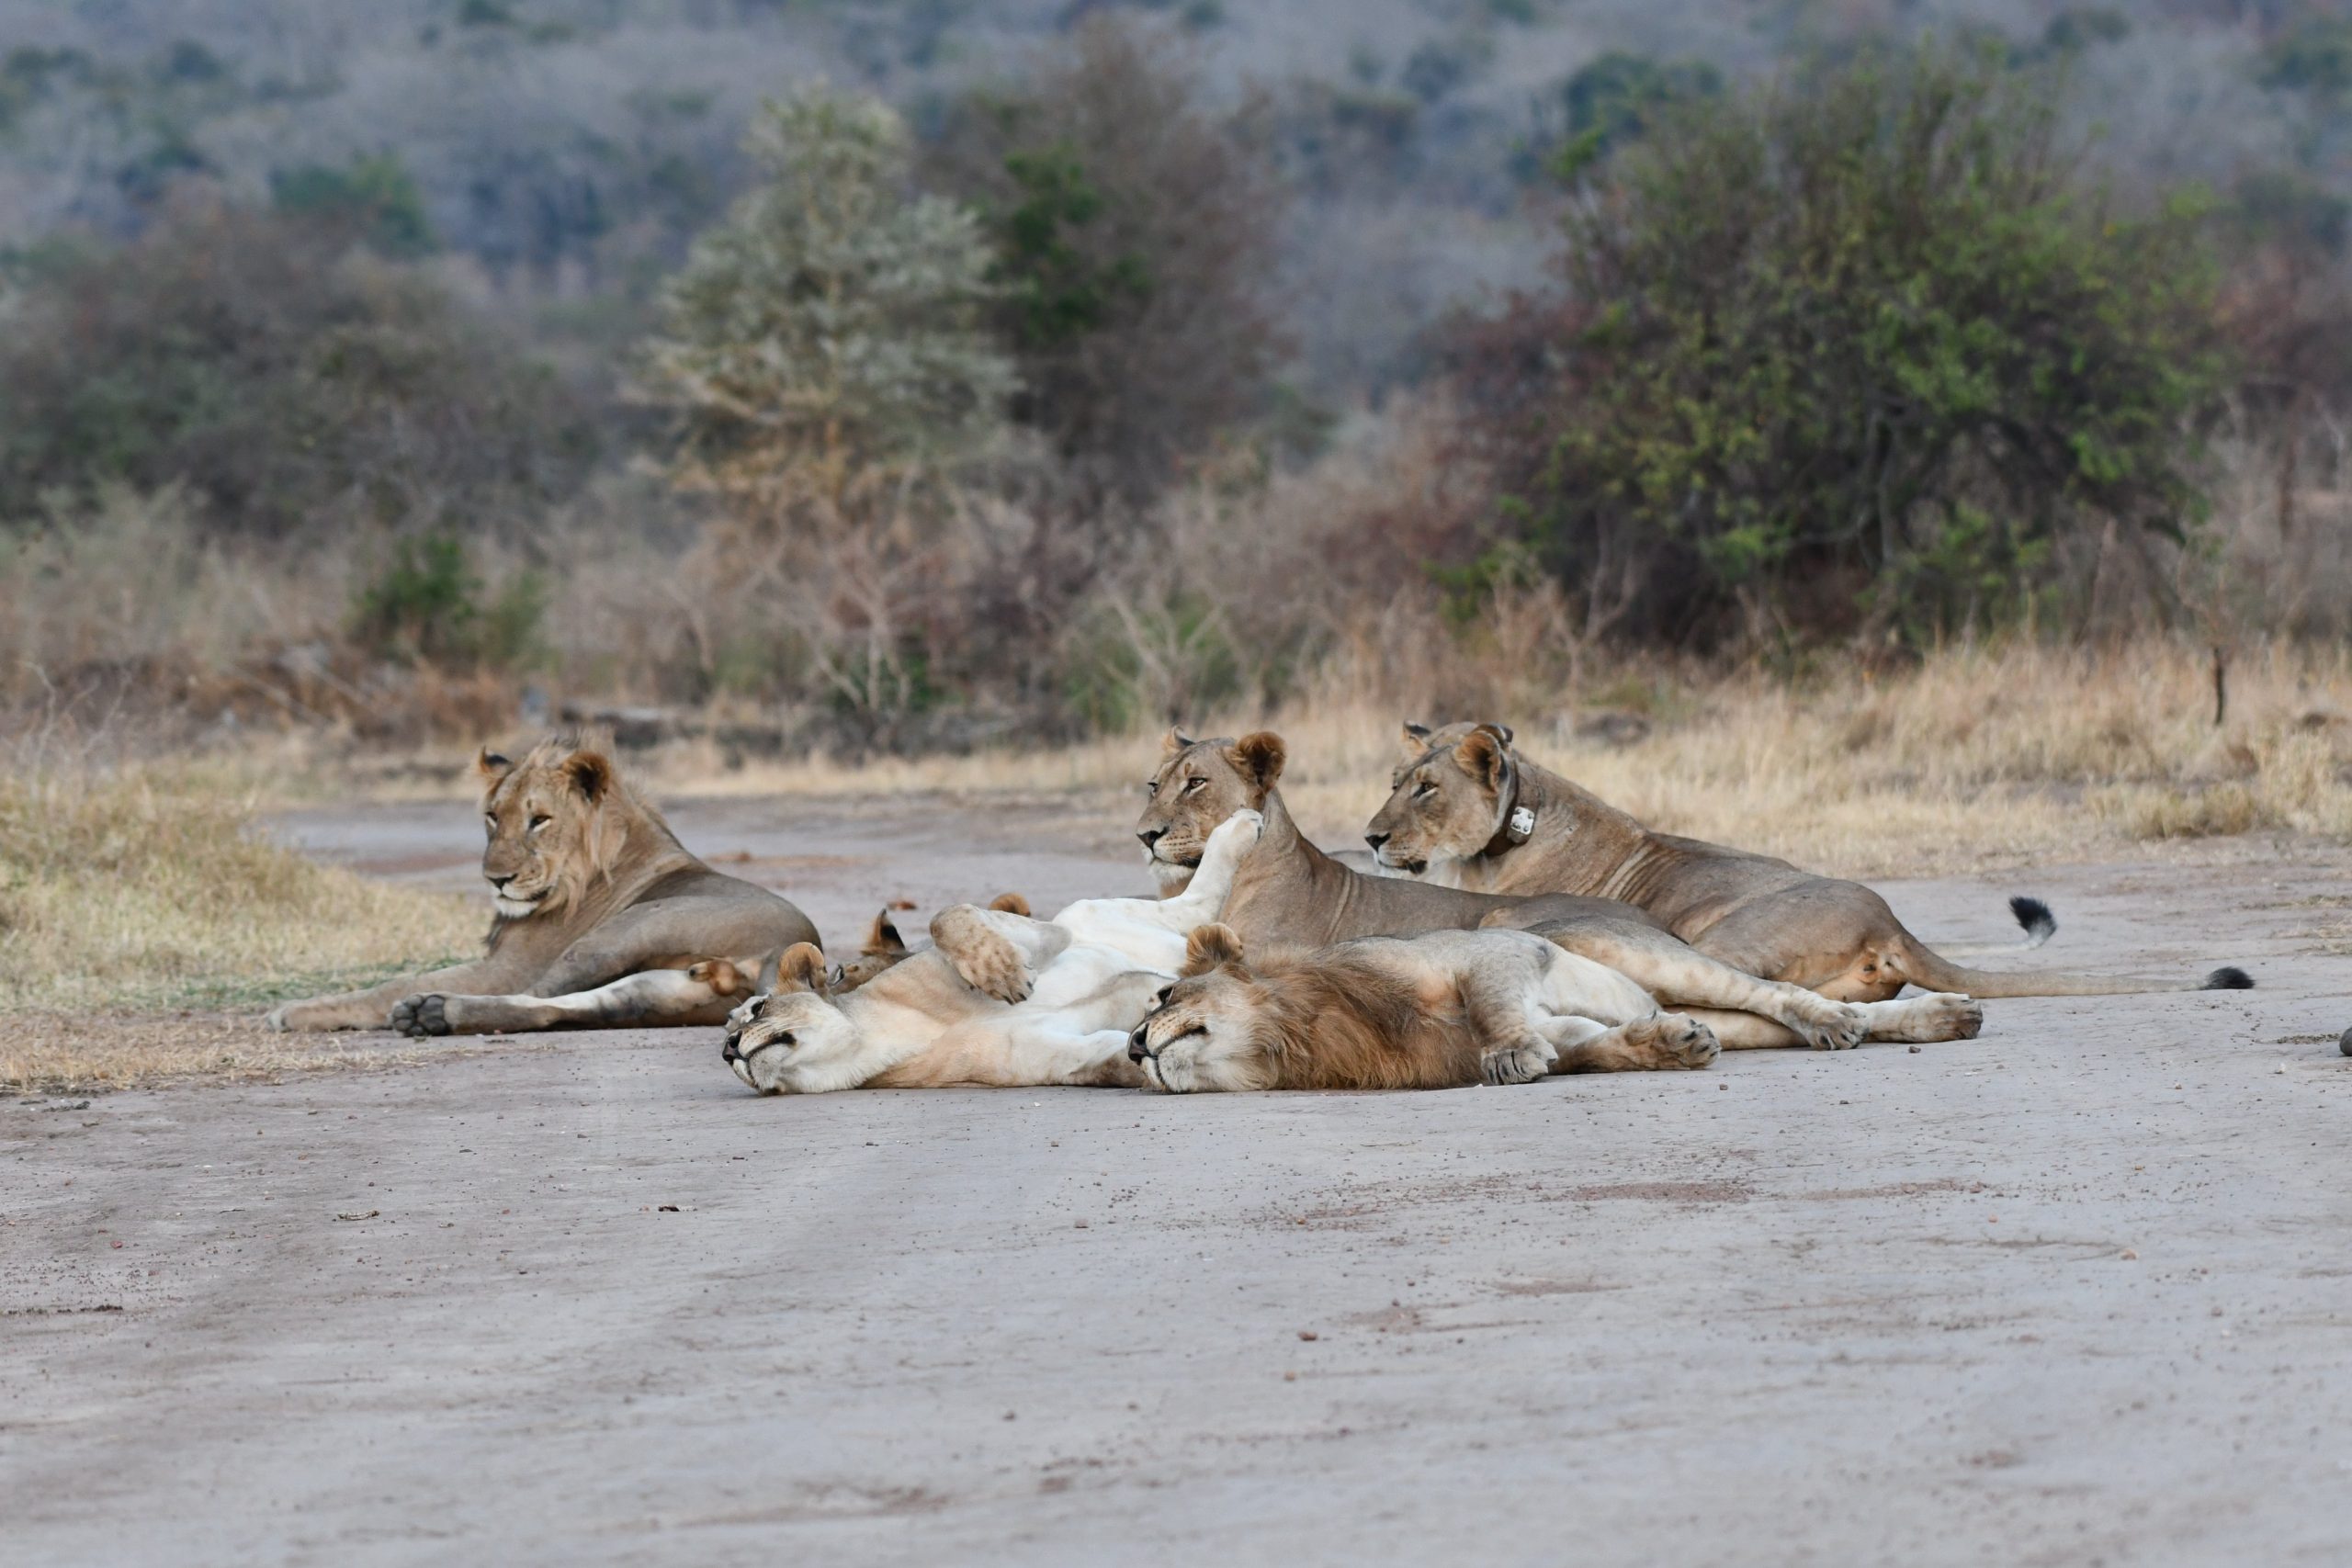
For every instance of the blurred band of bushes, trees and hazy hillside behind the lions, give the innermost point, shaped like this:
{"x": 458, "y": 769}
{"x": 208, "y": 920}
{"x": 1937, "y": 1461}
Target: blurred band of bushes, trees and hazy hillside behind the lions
{"x": 914, "y": 375}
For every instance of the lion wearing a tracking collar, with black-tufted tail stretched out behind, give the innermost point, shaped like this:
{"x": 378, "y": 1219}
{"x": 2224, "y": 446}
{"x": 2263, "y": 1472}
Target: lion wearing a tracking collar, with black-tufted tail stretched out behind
{"x": 1471, "y": 812}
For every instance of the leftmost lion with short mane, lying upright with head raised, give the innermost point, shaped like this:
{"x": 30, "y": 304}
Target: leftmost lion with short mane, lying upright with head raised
{"x": 603, "y": 918}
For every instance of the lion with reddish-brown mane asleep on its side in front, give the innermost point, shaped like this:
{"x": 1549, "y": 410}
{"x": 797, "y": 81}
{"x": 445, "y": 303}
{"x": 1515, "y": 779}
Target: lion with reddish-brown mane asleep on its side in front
{"x": 1429, "y": 1012}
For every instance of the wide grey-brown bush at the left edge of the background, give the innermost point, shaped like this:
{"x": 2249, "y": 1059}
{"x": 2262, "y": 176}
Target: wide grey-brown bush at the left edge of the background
{"x": 283, "y": 382}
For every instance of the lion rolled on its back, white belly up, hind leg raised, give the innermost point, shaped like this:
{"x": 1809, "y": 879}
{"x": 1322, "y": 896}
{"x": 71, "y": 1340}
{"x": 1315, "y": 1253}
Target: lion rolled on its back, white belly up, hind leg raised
{"x": 998, "y": 1000}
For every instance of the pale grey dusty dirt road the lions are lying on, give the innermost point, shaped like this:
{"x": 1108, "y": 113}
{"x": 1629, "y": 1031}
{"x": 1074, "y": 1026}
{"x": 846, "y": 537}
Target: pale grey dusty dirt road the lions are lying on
{"x": 2078, "y": 1292}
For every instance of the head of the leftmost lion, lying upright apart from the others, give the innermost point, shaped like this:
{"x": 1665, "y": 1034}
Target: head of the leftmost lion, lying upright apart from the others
{"x": 552, "y": 819}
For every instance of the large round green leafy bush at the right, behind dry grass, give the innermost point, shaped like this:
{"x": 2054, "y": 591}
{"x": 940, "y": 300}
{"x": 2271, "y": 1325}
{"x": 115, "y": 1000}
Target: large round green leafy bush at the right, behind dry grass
{"x": 1852, "y": 349}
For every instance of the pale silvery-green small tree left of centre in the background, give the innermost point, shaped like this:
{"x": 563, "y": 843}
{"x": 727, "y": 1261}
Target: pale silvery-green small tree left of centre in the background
{"x": 829, "y": 337}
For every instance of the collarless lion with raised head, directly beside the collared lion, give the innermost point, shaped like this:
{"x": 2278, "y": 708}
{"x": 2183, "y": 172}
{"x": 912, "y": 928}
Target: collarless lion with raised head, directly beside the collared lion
{"x": 1295, "y": 894}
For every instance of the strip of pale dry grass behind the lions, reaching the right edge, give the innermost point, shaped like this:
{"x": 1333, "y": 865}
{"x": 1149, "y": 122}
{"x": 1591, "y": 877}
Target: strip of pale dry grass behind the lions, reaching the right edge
{"x": 1972, "y": 760}
